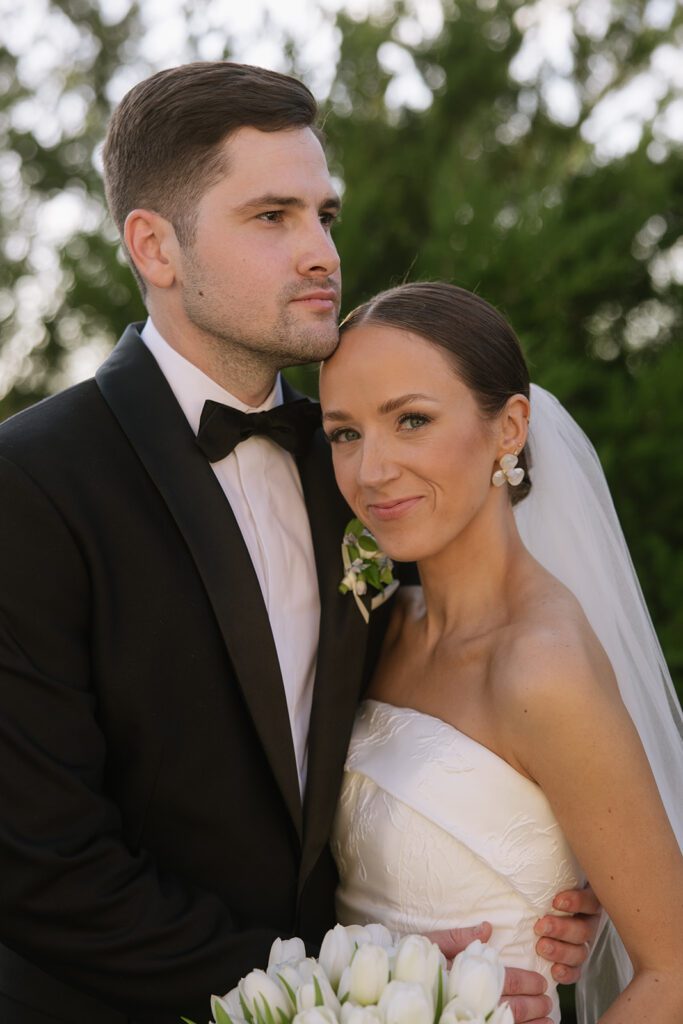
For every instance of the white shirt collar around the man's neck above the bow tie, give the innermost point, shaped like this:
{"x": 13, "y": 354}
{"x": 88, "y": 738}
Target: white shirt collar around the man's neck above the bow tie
{"x": 192, "y": 387}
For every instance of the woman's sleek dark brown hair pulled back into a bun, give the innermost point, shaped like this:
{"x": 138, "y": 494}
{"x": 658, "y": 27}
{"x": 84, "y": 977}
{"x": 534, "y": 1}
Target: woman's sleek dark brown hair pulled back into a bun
{"x": 480, "y": 344}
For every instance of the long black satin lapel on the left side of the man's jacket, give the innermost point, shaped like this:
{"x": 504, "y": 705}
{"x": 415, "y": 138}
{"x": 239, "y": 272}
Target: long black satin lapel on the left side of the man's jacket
{"x": 146, "y": 408}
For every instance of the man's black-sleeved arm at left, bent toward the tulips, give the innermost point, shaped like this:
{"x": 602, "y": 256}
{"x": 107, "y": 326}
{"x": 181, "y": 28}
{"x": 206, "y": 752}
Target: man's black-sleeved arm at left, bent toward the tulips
{"x": 75, "y": 901}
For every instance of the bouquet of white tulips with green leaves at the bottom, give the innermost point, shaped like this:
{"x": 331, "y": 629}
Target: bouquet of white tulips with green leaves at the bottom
{"x": 364, "y": 975}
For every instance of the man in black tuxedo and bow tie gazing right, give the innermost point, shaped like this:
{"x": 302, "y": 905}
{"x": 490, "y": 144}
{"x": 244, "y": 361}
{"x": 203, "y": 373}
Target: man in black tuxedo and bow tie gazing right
{"x": 179, "y": 673}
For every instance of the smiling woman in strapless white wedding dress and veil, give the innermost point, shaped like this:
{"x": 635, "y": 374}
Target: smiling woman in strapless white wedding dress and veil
{"x": 496, "y": 760}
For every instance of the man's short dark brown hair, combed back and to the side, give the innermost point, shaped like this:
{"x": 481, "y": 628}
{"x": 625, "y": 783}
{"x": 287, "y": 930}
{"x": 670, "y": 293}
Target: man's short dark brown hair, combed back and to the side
{"x": 164, "y": 145}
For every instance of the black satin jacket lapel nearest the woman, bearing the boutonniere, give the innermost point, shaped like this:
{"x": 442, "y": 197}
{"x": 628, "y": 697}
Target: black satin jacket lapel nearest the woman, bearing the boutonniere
{"x": 340, "y": 657}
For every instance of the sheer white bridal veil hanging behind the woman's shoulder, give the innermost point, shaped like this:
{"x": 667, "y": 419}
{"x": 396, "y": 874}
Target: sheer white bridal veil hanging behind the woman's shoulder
{"x": 570, "y": 525}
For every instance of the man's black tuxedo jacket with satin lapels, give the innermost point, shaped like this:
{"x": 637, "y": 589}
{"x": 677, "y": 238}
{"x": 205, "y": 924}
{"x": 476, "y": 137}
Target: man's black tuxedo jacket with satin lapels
{"x": 152, "y": 837}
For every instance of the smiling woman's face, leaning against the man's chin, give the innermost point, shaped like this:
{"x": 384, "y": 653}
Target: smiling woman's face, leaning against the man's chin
{"x": 413, "y": 455}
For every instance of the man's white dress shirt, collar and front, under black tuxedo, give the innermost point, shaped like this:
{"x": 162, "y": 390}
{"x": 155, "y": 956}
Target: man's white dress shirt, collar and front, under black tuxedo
{"x": 262, "y": 483}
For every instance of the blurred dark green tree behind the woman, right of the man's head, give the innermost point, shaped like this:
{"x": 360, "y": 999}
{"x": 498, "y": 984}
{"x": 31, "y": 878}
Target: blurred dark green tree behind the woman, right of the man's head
{"x": 487, "y": 189}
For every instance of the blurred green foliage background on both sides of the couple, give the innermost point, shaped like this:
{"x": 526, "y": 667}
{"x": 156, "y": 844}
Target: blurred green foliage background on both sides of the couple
{"x": 483, "y": 189}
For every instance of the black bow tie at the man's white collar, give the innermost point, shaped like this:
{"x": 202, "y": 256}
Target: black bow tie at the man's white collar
{"x": 291, "y": 426}
